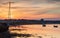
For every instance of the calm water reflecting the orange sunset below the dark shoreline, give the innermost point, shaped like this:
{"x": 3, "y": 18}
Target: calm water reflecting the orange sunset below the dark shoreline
{"x": 37, "y": 31}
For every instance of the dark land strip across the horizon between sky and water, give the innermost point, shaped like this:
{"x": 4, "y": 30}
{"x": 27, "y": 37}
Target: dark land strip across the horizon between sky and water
{"x": 25, "y": 21}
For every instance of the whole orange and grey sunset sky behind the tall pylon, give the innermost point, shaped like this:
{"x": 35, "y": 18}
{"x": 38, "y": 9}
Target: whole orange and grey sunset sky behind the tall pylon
{"x": 30, "y": 9}
